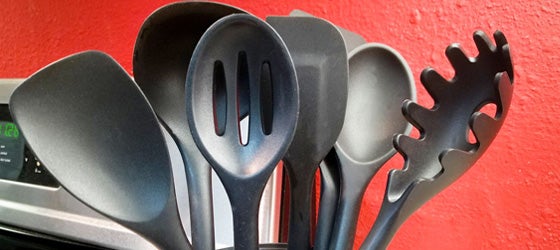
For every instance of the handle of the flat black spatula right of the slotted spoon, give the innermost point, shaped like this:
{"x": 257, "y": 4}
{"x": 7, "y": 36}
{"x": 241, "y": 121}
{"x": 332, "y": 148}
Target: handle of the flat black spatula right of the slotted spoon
{"x": 299, "y": 234}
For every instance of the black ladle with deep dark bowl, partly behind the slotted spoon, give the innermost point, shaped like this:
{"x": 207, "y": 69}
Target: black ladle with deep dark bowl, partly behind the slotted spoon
{"x": 162, "y": 54}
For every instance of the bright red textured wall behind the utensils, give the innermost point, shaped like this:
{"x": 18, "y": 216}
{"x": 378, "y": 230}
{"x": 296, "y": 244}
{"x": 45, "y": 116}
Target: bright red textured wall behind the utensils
{"x": 509, "y": 200}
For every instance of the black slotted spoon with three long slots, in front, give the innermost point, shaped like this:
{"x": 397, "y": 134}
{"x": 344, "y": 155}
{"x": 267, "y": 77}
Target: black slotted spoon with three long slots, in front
{"x": 241, "y": 59}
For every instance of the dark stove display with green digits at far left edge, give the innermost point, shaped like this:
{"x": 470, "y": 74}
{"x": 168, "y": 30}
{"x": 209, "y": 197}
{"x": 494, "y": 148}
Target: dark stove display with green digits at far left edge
{"x": 11, "y": 151}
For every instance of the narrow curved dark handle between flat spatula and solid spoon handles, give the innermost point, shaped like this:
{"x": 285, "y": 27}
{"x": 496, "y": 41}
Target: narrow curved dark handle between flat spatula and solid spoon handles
{"x": 330, "y": 188}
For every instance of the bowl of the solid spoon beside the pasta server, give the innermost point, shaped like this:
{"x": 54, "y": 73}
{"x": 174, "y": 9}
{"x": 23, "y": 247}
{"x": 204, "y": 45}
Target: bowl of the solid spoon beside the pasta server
{"x": 379, "y": 82}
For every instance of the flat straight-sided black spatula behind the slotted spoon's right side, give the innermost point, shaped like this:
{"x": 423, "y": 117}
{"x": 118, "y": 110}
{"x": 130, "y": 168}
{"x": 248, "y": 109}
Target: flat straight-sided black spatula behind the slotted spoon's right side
{"x": 319, "y": 55}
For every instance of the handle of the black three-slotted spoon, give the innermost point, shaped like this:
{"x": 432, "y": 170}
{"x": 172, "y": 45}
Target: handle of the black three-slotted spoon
{"x": 245, "y": 208}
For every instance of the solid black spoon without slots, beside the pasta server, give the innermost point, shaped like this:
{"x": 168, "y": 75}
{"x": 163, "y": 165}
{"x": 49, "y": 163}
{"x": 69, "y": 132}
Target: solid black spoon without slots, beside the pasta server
{"x": 380, "y": 80}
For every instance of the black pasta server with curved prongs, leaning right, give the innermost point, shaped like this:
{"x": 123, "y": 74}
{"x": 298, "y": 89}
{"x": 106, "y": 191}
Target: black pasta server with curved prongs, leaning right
{"x": 443, "y": 152}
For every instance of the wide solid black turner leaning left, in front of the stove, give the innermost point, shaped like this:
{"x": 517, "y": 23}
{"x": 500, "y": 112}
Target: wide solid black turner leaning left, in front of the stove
{"x": 96, "y": 133}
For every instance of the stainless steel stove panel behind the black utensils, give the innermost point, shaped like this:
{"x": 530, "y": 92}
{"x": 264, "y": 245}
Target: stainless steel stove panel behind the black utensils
{"x": 34, "y": 207}
